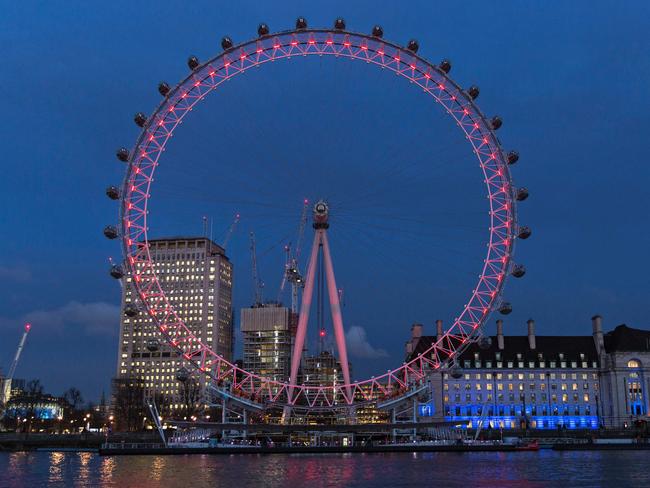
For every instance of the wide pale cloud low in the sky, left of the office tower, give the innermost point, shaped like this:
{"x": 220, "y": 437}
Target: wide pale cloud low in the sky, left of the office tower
{"x": 93, "y": 318}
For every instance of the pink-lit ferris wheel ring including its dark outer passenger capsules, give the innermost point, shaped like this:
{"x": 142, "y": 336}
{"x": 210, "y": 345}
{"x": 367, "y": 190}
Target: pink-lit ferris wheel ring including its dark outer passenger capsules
{"x": 204, "y": 78}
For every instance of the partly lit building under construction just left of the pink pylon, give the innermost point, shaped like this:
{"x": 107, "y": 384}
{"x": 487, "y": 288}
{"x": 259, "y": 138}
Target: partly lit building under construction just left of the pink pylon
{"x": 268, "y": 338}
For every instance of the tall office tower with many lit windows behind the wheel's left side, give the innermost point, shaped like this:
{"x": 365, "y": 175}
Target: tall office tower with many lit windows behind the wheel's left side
{"x": 197, "y": 278}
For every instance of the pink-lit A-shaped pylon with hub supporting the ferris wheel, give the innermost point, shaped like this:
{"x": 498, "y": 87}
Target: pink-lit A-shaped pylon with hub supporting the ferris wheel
{"x": 321, "y": 224}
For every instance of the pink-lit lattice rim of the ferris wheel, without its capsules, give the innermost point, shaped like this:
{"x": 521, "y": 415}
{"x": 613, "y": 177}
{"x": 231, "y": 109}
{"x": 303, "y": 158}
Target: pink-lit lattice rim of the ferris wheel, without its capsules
{"x": 206, "y": 79}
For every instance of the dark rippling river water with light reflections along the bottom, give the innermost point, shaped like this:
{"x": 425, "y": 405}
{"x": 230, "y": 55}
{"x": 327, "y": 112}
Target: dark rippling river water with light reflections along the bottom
{"x": 530, "y": 469}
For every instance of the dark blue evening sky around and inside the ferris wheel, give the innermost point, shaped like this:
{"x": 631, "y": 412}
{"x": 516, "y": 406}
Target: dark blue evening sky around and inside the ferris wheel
{"x": 569, "y": 79}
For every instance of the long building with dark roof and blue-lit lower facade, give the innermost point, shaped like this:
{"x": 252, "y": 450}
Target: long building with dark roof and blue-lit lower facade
{"x": 543, "y": 382}
